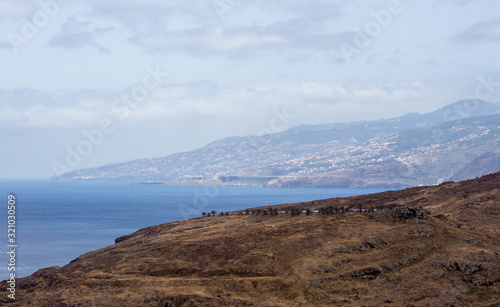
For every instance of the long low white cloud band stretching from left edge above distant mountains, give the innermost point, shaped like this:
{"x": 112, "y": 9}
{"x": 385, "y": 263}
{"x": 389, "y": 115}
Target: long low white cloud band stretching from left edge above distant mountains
{"x": 204, "y": 99}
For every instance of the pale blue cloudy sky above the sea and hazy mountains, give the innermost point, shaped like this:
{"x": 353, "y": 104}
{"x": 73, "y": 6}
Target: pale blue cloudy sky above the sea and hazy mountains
{"x": 87, "y": 83}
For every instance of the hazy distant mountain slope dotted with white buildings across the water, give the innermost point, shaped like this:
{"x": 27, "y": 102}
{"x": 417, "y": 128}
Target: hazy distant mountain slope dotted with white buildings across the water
{"x": 414, "y": 149}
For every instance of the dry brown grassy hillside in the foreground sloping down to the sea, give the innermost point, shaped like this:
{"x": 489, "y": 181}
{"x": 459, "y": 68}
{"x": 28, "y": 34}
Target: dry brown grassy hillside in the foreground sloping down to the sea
{"x": 447, "y": 254}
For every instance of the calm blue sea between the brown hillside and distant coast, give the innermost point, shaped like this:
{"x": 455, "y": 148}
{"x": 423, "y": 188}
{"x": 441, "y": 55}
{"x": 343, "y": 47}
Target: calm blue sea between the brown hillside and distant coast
{"x": 57, "y": 221}
